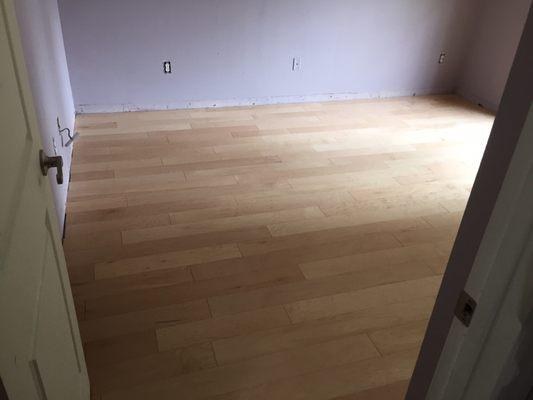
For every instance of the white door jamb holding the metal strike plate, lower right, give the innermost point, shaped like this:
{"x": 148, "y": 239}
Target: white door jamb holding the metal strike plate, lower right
{"x": 479, "y": 361}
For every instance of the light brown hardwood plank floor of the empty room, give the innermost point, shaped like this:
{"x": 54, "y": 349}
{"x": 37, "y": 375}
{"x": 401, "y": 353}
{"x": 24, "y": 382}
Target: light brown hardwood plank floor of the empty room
{"x": 276, "y": 252}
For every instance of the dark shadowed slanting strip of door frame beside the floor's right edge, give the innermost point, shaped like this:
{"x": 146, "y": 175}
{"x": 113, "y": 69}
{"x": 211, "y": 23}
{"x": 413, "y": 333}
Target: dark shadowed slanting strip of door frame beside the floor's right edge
{"x": 507, "y": 129}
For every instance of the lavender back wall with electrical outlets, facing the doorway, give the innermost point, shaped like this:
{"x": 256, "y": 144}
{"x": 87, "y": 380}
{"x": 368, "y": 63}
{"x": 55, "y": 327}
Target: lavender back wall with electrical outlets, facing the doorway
{"x": 240, "y": 51}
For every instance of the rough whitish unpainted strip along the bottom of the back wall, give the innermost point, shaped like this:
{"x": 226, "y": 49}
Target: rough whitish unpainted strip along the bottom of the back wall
{"x": 111, "y": 108}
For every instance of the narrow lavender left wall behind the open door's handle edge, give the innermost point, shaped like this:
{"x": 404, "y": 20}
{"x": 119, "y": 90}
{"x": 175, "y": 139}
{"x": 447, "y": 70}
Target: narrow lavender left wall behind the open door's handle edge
{"x": 44, "y": 52}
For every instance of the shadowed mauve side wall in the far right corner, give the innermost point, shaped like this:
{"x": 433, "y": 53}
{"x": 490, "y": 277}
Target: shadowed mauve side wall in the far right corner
{"x": 495, "y": 40}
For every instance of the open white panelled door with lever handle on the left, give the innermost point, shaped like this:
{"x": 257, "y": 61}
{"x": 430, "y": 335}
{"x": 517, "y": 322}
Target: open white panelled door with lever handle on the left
{"x": 41, "y": 356}
